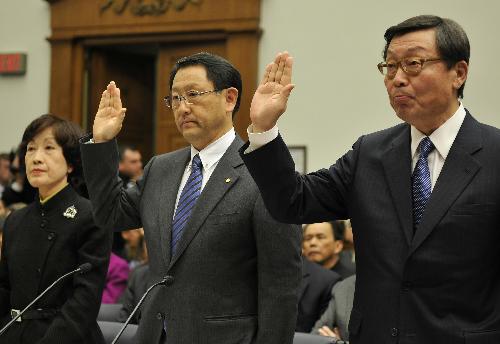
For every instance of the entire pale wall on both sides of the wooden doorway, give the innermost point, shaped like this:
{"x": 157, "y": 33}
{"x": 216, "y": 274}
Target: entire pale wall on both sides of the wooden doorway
{"x": 336, "y": 45}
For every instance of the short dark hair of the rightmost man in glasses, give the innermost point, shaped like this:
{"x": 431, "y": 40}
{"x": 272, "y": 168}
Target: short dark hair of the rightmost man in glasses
{"x": 451, "y": 39}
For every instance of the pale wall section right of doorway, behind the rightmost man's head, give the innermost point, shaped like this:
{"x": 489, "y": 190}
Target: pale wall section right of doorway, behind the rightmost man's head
{"x": 336, "y": 45}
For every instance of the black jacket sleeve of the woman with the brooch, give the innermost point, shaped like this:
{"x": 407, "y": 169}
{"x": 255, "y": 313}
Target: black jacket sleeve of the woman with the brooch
{"x": 81, "y": 308}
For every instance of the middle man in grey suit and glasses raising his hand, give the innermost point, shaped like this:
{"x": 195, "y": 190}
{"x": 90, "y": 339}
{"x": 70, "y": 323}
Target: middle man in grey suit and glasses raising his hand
{"x": 232, "y": 272}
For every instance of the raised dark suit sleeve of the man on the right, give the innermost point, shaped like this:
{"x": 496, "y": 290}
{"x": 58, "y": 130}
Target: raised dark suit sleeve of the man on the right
{"x": 293, "y": 198}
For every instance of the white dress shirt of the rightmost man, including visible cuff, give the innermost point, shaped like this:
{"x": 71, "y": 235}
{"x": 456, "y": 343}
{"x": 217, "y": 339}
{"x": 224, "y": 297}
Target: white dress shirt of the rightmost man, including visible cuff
{"x": 442, "y": 138}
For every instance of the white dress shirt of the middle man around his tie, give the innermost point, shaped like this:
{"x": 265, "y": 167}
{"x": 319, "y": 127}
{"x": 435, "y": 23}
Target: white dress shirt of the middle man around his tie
{"x": 210, "y": 156}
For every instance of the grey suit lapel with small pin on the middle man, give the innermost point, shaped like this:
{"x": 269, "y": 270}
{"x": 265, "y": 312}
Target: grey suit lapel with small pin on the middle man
{"x": 222, "y": 179}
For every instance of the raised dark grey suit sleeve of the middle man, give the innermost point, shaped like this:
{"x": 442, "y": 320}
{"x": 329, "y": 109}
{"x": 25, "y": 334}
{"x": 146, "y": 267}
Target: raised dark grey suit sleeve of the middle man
{"x": 114, "y": 207}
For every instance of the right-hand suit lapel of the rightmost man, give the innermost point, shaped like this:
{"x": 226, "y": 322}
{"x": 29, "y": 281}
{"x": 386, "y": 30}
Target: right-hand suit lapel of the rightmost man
{"x": 458, "y": 170}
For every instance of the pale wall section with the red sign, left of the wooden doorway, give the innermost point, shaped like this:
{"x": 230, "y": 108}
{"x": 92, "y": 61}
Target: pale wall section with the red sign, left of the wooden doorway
{"x": 24, "y": 27}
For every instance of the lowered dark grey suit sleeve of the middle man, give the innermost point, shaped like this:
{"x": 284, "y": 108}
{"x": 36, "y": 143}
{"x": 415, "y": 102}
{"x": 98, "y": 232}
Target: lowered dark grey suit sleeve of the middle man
{"x": 279, "y": 273}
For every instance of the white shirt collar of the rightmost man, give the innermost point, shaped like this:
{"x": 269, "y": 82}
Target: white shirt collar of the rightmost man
{"x": 443, "y": 137}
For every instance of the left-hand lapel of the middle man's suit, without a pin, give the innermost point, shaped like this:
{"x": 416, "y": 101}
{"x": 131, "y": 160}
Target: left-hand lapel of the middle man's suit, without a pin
{"x": 169, "y": 187}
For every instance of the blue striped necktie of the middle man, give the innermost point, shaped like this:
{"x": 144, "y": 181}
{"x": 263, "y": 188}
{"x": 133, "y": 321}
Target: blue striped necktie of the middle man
{"x": 187, "y": 201}
